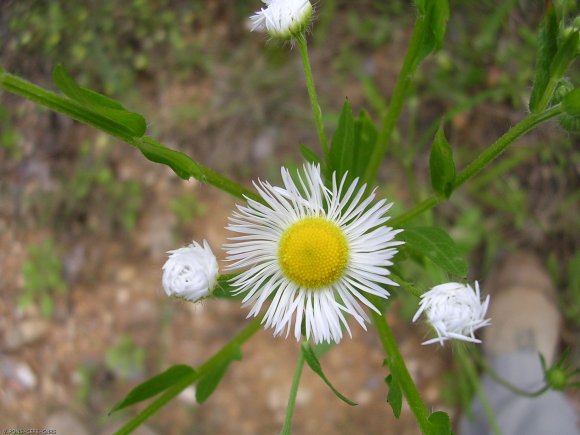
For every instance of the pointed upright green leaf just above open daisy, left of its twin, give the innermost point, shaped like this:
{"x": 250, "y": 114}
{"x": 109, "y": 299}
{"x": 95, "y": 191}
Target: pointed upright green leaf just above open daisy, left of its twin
{"x": 342, "y": 147}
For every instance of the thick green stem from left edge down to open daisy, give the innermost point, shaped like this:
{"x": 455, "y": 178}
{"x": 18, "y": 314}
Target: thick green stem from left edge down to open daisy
{"x": 58, "y": 103}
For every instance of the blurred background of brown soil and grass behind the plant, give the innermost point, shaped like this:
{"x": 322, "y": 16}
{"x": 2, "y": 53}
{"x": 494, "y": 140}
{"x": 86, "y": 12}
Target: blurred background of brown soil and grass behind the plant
{"x": 85, "y": 220}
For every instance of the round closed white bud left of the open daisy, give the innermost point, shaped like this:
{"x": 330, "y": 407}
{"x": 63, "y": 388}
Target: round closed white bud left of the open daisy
{"x": 191, "y": 272}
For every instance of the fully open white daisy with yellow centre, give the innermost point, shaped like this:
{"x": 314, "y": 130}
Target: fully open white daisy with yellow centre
{"x": 317, "y": 251}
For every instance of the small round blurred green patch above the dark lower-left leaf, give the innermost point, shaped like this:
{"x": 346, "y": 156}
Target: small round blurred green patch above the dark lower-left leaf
{"x": 125, "y": 358}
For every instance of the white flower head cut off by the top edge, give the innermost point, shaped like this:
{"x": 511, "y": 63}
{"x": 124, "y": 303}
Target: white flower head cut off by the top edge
{"x": 282, "y": 19}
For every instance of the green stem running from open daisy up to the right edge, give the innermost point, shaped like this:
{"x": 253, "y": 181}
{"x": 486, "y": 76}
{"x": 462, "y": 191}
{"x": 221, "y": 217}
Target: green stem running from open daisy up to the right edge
{"x": 485, "y": 158}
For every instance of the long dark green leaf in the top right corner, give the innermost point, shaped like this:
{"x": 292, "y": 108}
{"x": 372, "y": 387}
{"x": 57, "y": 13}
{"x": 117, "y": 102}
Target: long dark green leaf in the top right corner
{"x": 547, "y": 48}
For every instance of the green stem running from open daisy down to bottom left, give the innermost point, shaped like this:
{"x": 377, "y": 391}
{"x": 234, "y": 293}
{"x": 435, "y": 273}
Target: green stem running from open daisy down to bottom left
{"x": 218, "y": 358}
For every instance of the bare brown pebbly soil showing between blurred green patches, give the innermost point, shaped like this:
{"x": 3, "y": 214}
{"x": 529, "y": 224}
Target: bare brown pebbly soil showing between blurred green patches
{"x": 53, "y": 371}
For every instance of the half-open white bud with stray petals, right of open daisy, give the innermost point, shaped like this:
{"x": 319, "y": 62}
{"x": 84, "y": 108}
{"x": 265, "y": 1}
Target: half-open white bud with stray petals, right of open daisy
{"x": 455, "y": 311}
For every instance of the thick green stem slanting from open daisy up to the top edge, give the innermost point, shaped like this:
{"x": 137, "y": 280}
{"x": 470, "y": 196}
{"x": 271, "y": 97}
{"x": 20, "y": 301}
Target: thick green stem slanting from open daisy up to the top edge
{"x": 393, "y": 112}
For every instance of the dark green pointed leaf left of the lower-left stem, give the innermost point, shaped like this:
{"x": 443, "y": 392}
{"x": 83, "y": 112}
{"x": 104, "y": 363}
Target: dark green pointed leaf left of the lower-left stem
{"x": 154, "y": 386}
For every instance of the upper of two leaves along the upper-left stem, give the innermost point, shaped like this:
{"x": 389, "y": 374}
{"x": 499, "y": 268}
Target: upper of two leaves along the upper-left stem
{"x": 133, "y": 122}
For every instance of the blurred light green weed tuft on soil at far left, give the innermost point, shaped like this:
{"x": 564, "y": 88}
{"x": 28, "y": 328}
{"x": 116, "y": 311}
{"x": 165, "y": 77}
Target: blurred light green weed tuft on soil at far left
{"x": 42, "y": 274}
